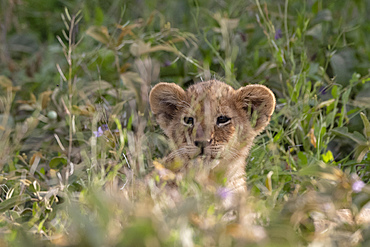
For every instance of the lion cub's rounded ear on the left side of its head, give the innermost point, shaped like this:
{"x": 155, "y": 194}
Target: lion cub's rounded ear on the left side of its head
{"x": 165, "y": 101}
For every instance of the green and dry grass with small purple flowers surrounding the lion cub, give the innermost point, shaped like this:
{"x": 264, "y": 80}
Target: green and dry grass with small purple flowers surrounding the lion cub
{"x": 78, "y": 140}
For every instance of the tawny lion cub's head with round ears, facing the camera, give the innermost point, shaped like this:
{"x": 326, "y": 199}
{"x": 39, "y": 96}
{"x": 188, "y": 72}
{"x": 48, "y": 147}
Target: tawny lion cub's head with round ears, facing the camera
{"x": 211, "y": 120}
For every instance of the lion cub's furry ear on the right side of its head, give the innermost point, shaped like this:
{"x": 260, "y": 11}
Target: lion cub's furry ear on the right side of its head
{"x": 259, "y": 103}
